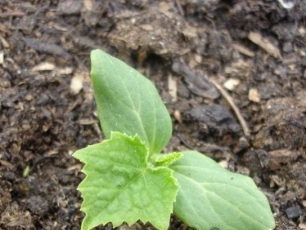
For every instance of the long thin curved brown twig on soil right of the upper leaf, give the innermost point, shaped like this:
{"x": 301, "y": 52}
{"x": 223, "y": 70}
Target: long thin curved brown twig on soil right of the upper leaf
{"x": 229, "y": 99}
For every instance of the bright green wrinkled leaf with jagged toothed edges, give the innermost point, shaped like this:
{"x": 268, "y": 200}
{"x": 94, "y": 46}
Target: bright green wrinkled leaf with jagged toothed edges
{"x": 120, "y": 186}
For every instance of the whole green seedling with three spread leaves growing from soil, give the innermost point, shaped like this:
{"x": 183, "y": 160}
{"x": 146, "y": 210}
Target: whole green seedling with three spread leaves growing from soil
{"x": 128, "y": 179}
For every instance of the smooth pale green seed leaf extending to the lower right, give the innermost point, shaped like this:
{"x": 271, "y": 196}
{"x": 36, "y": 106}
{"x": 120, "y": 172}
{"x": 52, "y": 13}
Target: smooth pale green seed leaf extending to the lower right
{"x": 210, "y": 196}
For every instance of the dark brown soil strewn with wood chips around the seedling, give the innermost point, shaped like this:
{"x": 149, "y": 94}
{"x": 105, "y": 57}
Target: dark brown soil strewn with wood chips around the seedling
{"x": 232, "y": 74}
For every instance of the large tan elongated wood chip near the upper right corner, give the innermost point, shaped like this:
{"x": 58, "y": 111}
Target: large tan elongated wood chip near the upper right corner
{"x": 265, "y": 44}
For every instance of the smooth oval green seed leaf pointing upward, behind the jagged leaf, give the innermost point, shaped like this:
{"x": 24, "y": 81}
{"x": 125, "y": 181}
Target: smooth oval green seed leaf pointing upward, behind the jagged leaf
{"x": 128, "y": 102}
